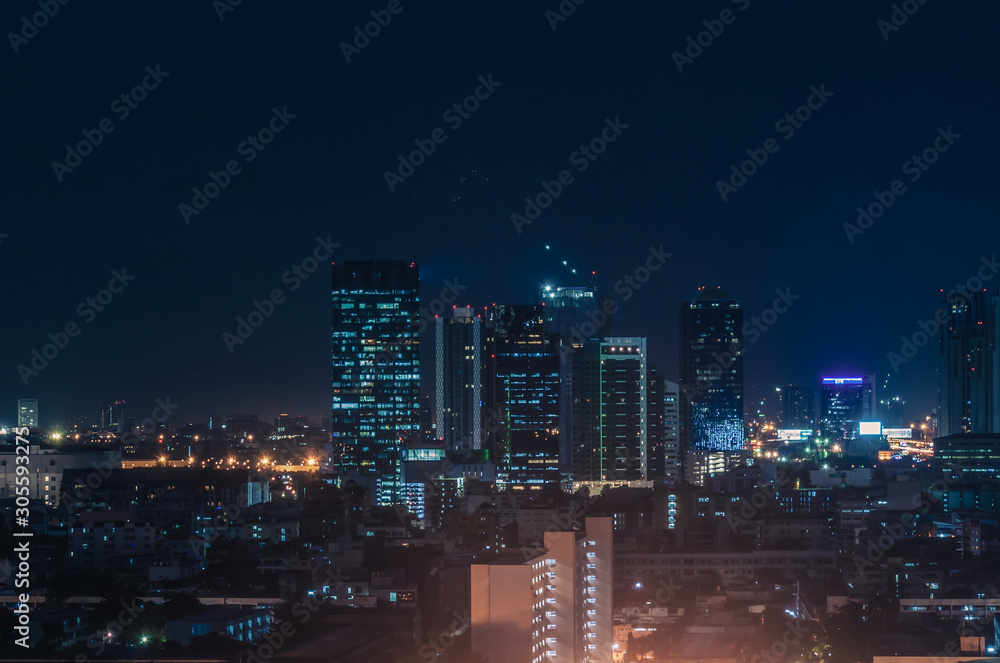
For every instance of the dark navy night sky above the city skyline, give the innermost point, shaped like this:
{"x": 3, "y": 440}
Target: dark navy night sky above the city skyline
{"x": 323, "y": 176}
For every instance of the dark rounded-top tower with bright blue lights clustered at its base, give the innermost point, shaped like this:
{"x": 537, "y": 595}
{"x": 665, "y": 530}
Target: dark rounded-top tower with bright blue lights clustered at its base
{"x": 711, "y": 361}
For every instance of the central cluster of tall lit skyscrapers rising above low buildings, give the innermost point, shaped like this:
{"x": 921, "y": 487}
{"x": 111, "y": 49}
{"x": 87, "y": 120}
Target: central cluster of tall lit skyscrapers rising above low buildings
{"x": 545, "y": 390}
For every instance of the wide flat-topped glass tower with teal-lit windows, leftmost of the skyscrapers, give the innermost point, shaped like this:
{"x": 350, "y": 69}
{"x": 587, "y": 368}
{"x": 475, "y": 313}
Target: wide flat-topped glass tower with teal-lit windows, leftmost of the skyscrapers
{"x": 376, "y": 370}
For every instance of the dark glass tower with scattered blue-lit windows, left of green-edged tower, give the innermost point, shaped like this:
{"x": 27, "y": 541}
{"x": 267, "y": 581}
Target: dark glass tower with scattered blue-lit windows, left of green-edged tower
{"x": 522, "y": 389}
